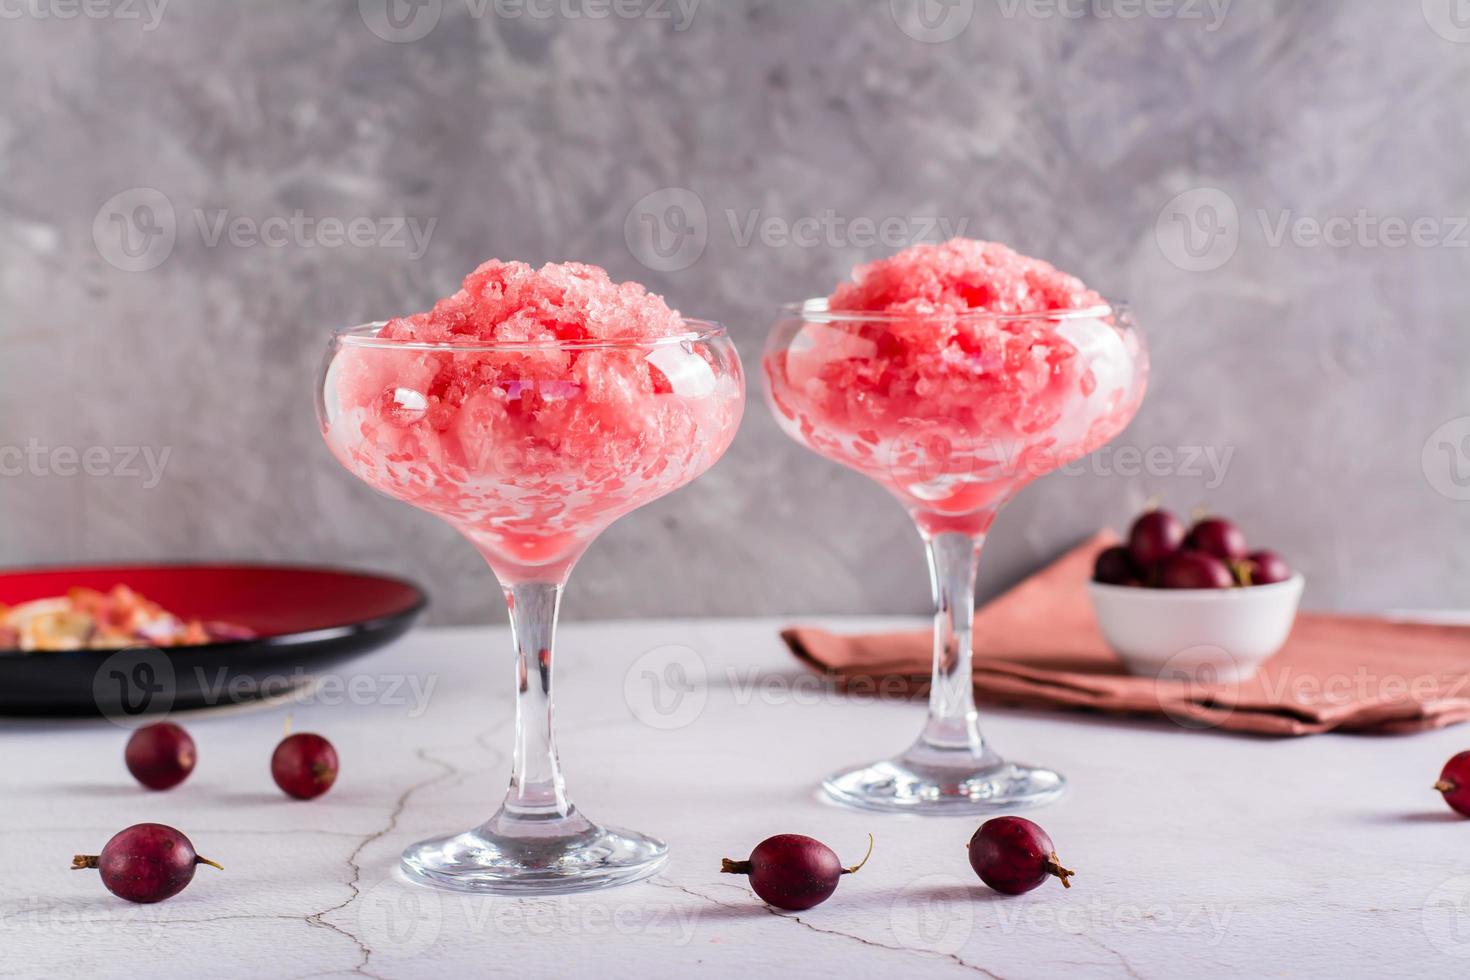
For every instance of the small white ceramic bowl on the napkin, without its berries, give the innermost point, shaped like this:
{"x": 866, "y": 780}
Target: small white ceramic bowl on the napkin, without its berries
{"x": 1197, "y": 633}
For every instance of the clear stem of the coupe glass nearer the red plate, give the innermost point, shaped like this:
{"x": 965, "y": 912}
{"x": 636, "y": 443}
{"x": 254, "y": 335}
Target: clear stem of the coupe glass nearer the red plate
{"x": 537, "y": 791}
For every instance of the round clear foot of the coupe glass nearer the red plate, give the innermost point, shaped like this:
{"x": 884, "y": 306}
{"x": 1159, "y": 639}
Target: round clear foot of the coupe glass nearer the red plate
{"x": 490, "y": 865}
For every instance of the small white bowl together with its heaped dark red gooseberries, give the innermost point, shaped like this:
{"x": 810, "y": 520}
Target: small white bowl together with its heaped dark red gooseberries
{"x": 1196, "y": 603}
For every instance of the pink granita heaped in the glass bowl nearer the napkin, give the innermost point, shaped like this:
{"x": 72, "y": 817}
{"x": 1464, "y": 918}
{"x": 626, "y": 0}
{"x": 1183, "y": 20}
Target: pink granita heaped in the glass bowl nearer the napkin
{"x": 955, "y": 375}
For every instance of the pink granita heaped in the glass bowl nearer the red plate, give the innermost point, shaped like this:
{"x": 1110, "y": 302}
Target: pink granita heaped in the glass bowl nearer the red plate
{"x": 534, "y": 408}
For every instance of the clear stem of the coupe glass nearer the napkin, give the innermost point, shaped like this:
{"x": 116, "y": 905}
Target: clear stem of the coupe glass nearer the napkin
{"x": 953, "y": 722}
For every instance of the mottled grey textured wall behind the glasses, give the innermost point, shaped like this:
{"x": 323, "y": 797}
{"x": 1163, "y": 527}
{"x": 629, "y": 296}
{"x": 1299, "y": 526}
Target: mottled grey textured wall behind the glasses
{"x": 1324, "y": 370}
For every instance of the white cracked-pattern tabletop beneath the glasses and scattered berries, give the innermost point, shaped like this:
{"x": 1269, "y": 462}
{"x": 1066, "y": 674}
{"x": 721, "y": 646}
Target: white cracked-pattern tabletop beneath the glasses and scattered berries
{"x": 1197, "y": 854}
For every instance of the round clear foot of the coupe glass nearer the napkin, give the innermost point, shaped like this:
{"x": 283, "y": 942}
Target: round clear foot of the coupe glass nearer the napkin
{"x": 944, "y": 784}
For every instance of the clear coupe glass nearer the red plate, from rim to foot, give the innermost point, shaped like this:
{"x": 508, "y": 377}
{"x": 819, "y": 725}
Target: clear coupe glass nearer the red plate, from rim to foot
{"x": 530, "y": 452}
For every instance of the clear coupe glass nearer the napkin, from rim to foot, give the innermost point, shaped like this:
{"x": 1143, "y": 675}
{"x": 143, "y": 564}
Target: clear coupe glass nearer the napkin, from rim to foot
{"x": 953, "y": 414}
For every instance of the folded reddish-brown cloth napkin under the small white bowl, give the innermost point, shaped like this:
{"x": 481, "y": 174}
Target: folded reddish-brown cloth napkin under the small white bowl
{"x": 1039, "y": 646}
